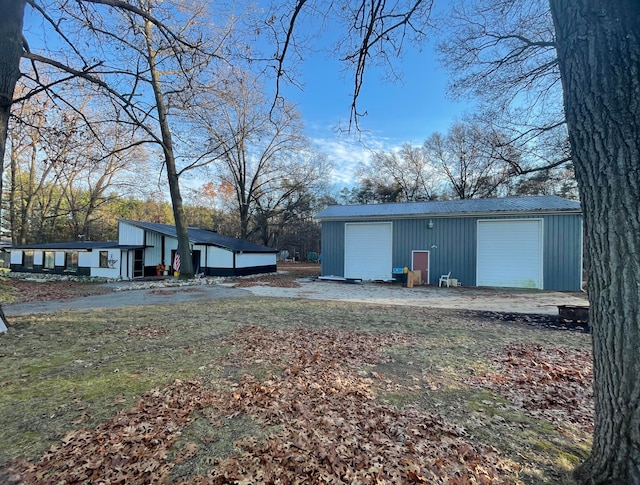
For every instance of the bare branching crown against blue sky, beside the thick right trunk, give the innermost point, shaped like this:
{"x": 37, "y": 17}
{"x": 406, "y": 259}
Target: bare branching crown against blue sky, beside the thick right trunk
{"x": 502, "y": 54}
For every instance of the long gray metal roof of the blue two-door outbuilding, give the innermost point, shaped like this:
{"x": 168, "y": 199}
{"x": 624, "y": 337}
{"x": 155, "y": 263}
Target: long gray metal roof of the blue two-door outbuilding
{"x": 450, "y": 208}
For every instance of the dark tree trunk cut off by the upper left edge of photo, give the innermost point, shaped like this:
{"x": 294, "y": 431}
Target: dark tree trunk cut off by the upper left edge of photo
{"x": 11, "y": 45}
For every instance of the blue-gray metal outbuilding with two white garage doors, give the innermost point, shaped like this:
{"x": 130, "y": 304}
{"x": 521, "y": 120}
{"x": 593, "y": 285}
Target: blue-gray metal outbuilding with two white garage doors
{"x": 526, "y": 242}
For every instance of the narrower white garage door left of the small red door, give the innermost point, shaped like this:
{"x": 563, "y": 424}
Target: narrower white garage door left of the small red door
{"x": 368, "y": 251}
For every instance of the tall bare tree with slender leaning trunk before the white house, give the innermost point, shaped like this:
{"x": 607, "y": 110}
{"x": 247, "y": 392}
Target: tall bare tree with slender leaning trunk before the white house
{"x": 146, "y": 57}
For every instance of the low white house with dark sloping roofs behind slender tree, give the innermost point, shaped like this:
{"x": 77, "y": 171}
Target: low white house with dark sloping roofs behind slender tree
{"x": 140, "y": 248}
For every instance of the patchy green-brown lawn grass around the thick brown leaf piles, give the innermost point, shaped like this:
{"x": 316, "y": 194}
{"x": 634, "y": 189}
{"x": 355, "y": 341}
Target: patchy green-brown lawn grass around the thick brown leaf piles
{"x": 78, "y": 370}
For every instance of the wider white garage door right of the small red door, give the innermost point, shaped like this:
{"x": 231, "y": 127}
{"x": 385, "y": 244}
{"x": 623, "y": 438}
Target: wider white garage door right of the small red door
{"x": 510, "y": 253}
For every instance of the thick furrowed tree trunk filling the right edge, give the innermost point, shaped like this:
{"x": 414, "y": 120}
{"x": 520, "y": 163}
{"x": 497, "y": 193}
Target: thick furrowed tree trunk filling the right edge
{"x": 598, "y": 45}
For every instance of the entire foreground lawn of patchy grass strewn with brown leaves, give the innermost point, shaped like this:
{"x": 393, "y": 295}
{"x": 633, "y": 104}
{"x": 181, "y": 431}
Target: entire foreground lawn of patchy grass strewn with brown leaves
{"x": 278, "y": 391}
